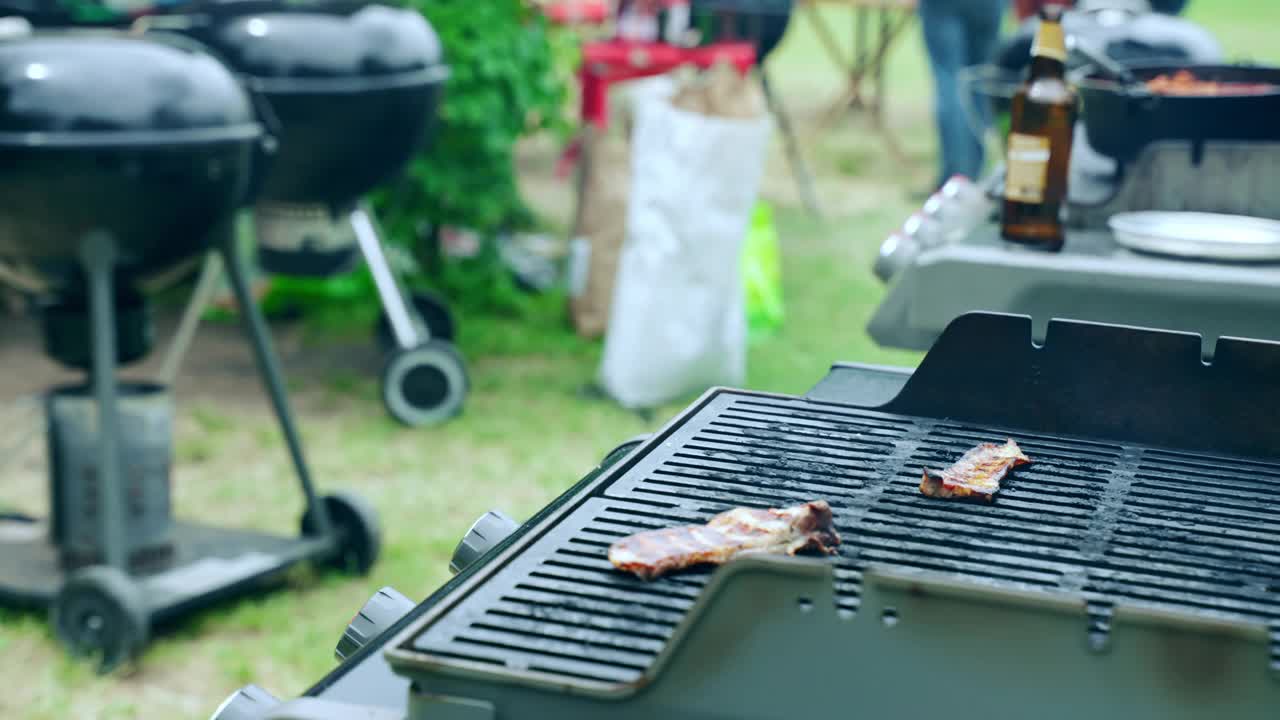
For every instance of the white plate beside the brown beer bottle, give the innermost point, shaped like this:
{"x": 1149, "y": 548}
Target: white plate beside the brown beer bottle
{"x": 1199, "y": 235}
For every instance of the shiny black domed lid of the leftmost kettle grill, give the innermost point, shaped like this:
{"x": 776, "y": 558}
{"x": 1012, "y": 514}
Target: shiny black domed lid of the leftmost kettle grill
{"x": 94, "y": 86}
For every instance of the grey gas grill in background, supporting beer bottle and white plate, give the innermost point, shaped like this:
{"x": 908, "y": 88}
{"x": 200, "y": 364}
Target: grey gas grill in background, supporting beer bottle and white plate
{"x": 1172, "y": 154}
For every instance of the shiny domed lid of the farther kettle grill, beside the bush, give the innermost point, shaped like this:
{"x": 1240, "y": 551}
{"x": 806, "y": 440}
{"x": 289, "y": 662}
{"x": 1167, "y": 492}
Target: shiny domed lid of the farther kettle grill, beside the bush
{"x": 373, "y": 43}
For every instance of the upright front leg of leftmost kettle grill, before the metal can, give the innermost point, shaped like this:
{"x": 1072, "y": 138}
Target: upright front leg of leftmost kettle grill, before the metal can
{"x": 98, "y": 256}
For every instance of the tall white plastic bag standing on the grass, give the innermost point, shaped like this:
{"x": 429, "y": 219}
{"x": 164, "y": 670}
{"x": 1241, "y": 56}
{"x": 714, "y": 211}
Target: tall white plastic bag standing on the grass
{"x": 678, "y": 323}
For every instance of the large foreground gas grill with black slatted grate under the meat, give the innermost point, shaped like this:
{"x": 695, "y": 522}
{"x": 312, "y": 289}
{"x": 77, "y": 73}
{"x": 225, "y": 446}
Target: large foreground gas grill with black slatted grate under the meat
{"x": 1128, "y": 573}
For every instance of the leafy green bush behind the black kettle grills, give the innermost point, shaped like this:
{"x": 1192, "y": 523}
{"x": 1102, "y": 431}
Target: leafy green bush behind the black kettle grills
{"x": 509, "y": 78}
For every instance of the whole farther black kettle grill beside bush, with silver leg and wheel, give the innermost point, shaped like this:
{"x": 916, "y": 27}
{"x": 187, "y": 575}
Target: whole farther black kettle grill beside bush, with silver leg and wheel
{"x": 354, "y": 90}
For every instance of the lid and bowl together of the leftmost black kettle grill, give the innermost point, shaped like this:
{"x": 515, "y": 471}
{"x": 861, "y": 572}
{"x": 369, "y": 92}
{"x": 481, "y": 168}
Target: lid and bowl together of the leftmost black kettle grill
{"x": 150, "y": 142}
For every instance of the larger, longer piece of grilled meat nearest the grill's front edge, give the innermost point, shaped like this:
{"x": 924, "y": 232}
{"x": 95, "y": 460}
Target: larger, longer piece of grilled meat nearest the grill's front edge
{"x": 743, "y": 530}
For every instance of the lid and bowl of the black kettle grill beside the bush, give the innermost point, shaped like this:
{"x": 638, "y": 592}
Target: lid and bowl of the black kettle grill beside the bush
{"x": 354, "y": 90}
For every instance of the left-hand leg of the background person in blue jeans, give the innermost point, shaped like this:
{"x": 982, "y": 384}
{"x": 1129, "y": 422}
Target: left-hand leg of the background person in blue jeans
{"x": 945, "y": 43}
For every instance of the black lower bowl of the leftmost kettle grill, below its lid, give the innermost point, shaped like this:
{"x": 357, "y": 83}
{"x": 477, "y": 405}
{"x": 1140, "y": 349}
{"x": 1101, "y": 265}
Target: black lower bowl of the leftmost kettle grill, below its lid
{"x": 158, "y": 203}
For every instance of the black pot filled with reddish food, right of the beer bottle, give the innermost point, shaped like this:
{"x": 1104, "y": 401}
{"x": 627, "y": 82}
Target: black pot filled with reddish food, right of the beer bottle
{"x": 1122, "y": 124}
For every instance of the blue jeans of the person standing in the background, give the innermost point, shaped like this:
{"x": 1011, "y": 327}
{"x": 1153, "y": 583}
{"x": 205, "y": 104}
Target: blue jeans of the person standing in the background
{"x": 959, "y": 34}
